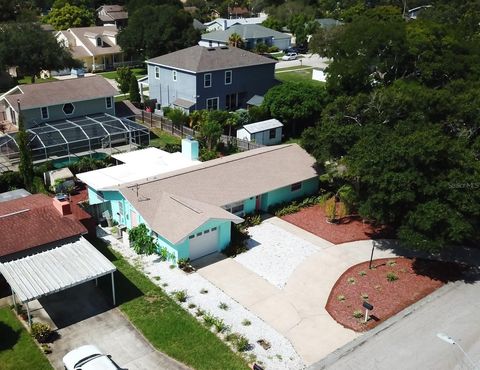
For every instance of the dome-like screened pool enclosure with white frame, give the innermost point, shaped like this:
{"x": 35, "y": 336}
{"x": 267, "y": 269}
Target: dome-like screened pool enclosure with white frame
{"x": 81, "y": 134}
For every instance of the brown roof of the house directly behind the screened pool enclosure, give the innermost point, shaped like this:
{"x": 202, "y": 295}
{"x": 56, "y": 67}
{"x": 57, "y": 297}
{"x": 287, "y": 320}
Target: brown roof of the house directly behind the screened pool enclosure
{"x": 60, "y": 92}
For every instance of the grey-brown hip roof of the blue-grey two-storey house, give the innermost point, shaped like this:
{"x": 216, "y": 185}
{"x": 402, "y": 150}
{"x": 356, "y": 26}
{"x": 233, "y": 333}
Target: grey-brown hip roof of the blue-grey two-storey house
{"x": 201, "y": 59}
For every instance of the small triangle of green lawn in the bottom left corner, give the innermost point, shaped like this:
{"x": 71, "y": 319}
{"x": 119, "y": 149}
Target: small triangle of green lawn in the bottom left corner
{"x": 17, "y": 348}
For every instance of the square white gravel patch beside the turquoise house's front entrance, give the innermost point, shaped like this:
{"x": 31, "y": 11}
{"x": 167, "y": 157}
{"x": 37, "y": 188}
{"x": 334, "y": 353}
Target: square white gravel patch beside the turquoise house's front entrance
{"x": 274, "y": 253}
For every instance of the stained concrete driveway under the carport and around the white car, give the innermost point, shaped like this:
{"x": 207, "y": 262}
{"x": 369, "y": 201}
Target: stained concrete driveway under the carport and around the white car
{"x": 83, "y": 316}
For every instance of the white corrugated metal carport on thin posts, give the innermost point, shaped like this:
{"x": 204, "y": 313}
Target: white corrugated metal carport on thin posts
{"x": 54, "y": 270}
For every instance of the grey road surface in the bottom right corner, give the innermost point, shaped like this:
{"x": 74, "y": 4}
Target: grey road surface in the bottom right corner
{"x": 412, "y": 343}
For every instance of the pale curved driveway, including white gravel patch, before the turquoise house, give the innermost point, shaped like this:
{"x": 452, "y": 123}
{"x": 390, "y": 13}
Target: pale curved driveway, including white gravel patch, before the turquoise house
{"x": 286, "y": 279}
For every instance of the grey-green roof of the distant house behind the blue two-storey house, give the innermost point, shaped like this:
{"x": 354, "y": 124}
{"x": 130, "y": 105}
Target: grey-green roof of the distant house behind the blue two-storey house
{"x": 246, "y": 31}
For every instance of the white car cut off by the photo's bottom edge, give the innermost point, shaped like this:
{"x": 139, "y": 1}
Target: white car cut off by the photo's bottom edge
{"x": 87, "y": 357}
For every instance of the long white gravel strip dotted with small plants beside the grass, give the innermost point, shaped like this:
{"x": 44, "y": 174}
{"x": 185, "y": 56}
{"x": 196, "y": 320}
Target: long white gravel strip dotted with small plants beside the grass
{"x": 281, "y": 354}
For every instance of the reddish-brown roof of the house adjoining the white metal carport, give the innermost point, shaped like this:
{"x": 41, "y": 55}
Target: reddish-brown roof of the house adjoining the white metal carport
{"x": 33, "y": 221}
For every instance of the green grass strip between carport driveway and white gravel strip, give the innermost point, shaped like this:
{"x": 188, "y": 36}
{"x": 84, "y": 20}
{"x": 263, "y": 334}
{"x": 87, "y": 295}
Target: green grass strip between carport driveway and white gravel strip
{"x": 165, "y": 324}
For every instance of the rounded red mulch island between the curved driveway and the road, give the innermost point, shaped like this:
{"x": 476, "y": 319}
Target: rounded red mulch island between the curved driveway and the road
{"x": 416, "y": 279}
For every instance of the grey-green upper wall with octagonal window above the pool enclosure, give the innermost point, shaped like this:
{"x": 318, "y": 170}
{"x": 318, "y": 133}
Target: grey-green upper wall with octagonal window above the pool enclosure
{"x": 55, "y": 112}
